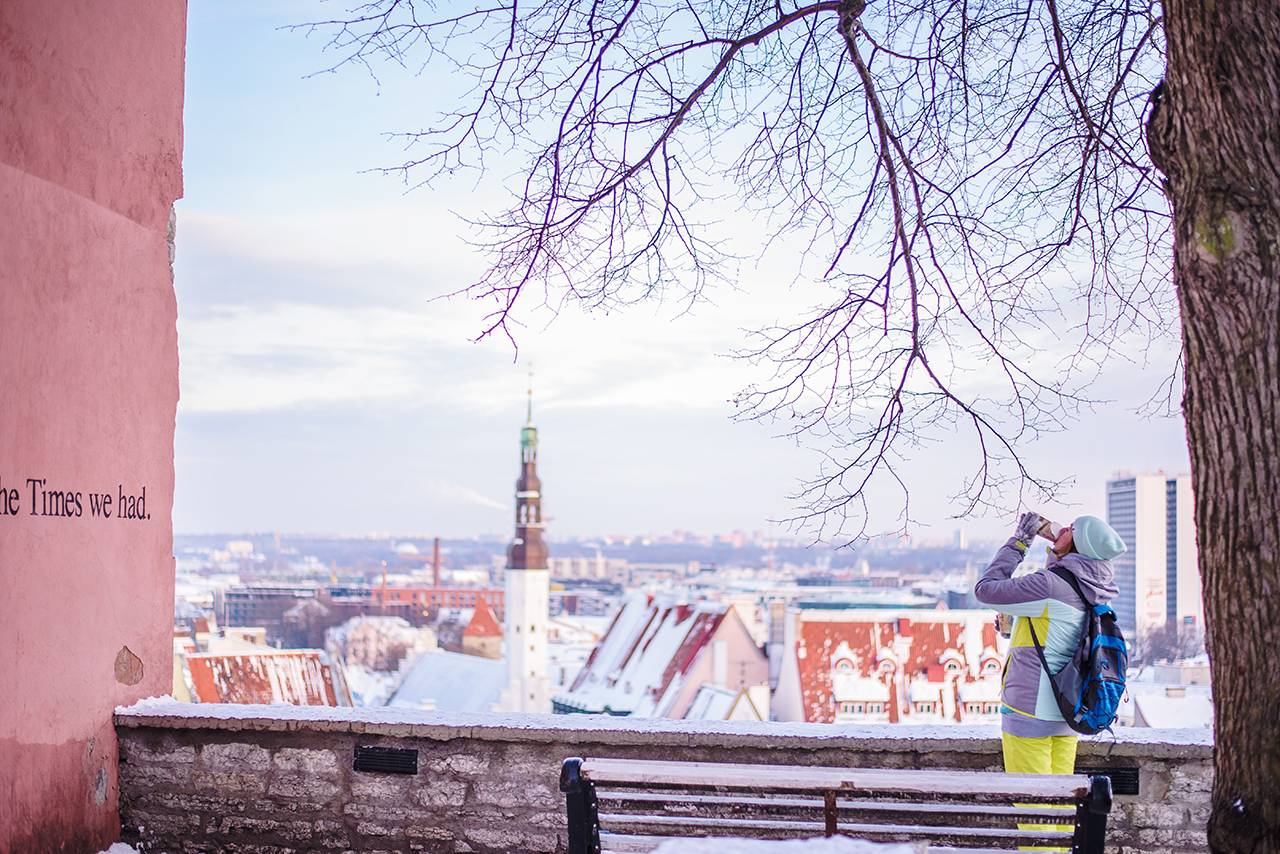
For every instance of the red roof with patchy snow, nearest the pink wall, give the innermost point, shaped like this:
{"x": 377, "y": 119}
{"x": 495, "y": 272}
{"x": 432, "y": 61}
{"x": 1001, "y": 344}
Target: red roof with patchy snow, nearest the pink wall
{"x": 294, "y": 677}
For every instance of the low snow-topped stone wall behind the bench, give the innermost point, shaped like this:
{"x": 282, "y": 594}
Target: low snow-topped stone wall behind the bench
{"x": 246, "y": 779}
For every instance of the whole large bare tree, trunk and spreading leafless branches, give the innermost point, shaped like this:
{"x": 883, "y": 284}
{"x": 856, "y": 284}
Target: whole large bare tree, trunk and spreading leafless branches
{"x": 959, "y": 171}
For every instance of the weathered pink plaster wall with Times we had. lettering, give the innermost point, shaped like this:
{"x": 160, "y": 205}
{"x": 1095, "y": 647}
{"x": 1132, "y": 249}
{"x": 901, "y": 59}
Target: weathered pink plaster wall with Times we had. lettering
{"x": 90, "y": 166}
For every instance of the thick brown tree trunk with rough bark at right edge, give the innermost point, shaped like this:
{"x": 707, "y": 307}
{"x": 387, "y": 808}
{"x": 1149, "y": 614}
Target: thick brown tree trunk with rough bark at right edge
{"x": 1215, "y": 134}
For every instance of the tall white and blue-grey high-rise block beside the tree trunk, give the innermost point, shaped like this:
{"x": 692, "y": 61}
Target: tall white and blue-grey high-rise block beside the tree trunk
{"x": 1159, "y": 576}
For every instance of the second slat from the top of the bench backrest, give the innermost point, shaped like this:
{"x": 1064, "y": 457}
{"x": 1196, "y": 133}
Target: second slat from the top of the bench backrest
{"x": 1060, "y": 815}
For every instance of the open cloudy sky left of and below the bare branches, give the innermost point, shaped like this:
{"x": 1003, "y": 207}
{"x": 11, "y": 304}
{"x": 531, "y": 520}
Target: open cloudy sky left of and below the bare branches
{"x": 327, "y": 390}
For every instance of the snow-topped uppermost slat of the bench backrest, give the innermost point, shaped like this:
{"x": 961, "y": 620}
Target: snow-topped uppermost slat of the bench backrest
{"x": 971, "y": 784}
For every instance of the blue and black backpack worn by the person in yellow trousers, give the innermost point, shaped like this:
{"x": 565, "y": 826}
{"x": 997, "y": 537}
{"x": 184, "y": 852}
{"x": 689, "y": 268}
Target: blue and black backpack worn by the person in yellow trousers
{"x": 1090, "y": 687}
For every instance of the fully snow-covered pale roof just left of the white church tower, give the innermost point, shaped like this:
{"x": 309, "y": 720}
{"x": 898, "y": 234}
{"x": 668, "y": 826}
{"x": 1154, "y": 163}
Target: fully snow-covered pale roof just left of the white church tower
{"x": 451, "y": 683}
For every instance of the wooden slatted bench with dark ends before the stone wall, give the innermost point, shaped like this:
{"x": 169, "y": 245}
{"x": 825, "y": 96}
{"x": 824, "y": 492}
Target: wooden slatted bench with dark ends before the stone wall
{"x": 637, "y": 805}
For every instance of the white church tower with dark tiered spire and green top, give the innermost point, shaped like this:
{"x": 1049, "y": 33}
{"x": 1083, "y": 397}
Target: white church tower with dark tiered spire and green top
{"x": 528, "y": 586}
